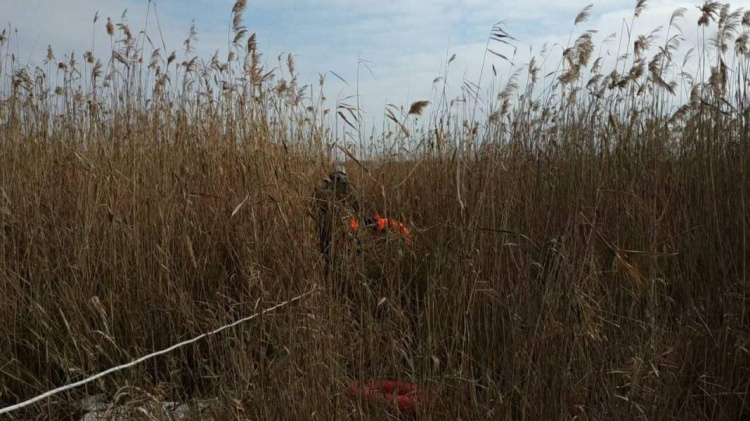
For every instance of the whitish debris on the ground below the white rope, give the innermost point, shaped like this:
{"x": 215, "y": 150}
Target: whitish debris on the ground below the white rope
{"x": 97, "y": 409}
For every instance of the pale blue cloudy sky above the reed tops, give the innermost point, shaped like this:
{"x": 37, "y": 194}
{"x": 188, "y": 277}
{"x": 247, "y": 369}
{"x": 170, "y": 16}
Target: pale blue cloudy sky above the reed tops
{"x": 404, "y": 44}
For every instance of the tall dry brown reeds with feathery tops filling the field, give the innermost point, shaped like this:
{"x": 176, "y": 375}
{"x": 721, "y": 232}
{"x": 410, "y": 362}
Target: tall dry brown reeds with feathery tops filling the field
{"x": 579, "y": 253}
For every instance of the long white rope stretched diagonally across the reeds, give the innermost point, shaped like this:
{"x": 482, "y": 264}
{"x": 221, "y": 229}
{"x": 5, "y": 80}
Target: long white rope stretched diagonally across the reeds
{"x": 146, "y": 357}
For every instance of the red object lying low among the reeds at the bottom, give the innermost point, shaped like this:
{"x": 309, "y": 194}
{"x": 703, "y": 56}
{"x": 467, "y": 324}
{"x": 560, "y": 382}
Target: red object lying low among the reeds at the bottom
{"x": 407, "y": 396}
